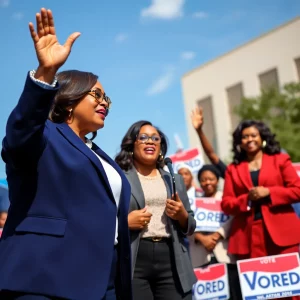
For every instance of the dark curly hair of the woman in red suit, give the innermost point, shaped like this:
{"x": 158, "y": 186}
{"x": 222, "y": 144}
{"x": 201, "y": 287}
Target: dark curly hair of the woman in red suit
{"x": 272, "y": 145}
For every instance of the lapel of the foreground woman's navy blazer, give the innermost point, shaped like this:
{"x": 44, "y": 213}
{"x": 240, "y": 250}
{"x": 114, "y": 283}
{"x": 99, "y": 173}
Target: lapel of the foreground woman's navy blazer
{"x": 70, "y": 135}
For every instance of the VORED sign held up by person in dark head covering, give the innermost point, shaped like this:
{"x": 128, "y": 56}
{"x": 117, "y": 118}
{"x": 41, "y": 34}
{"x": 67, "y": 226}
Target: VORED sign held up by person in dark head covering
{"x": 208, "y": 214}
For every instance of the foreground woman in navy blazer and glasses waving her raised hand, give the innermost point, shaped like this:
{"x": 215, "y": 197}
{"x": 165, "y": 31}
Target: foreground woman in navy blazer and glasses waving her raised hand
{"x": 66, "y": 235}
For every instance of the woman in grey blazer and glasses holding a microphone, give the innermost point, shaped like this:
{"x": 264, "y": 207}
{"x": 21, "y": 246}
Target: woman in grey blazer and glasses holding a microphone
{"x": 158, "y": 219}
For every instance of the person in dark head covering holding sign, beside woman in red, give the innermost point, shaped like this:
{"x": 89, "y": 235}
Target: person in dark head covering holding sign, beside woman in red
{"x": 208, "y": 248}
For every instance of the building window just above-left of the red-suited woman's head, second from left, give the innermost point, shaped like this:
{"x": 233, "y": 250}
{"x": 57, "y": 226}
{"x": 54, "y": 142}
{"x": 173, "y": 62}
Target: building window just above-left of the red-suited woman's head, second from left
{"x": 235, "y": 94}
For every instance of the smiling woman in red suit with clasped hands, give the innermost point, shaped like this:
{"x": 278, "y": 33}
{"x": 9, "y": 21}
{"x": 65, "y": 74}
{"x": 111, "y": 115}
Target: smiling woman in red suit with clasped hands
{"x": 260, "y": 186}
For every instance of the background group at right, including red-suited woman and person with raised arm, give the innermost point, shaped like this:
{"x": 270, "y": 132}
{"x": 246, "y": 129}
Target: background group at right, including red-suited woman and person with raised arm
{"x": 261, "y": 196}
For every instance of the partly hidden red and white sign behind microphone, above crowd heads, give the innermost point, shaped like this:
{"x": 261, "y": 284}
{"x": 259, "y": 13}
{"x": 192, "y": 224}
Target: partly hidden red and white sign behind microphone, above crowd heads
{"x": 192, "y": 158}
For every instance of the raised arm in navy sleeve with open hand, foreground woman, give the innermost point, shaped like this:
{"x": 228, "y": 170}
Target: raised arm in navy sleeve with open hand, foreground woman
{"x": 25, "y": 126}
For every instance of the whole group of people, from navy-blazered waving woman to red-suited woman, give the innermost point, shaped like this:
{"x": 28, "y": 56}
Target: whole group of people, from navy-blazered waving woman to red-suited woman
{"x": 84, "y": 226}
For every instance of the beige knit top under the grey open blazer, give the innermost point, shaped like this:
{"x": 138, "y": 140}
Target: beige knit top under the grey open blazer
{"x": 155, "y": 194}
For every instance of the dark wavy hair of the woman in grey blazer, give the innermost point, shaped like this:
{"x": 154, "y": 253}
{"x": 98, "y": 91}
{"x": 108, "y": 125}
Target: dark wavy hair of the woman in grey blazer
{"x": 124, "y": 158}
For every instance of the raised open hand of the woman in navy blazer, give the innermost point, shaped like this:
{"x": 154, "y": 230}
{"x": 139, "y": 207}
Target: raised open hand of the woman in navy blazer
{"x": 51, "y": 55}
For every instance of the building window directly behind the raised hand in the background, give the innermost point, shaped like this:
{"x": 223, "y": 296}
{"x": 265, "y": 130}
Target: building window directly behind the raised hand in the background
{"x": 209, "y": 124}
